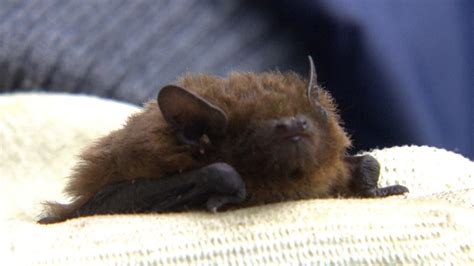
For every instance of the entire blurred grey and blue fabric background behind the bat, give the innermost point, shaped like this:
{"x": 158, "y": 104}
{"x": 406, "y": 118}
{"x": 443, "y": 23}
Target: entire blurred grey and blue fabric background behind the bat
{"x": 402, "y": 71}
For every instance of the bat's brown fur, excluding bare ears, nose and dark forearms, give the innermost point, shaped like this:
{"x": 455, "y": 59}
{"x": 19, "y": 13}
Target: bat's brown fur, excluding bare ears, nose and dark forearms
{"x": 147, "y": 146}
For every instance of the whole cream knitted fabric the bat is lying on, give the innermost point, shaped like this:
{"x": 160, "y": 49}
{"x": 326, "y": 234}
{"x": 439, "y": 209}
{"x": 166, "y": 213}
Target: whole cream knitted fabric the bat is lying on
{"x": 42, "y": 133}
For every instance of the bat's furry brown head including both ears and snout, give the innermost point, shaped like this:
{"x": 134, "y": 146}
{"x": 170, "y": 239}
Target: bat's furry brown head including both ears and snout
{"x": 265, "y": 125}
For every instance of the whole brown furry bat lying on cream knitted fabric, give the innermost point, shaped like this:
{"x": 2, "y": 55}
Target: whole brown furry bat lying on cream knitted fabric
{"x": 217, "y": 143}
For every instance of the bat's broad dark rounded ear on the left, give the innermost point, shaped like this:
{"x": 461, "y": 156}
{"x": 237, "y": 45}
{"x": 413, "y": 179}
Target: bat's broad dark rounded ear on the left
{"x": 191, "y": 115}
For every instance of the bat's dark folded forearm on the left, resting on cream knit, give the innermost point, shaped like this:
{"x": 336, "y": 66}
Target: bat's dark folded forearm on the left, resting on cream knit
{"x": 214, "y": 185}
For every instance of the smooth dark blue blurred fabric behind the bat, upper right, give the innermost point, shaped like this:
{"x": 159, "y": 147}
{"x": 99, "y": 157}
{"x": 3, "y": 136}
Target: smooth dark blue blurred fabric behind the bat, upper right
{"x": 401, "y": 71}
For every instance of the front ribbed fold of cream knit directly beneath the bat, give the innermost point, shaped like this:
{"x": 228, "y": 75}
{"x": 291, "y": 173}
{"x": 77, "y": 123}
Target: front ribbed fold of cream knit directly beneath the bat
{"x": 327, "y": 231}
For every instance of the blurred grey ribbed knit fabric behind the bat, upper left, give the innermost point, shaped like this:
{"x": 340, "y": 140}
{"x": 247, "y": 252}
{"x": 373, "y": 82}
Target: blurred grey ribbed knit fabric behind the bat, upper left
{"x": 128, "y": 49}
